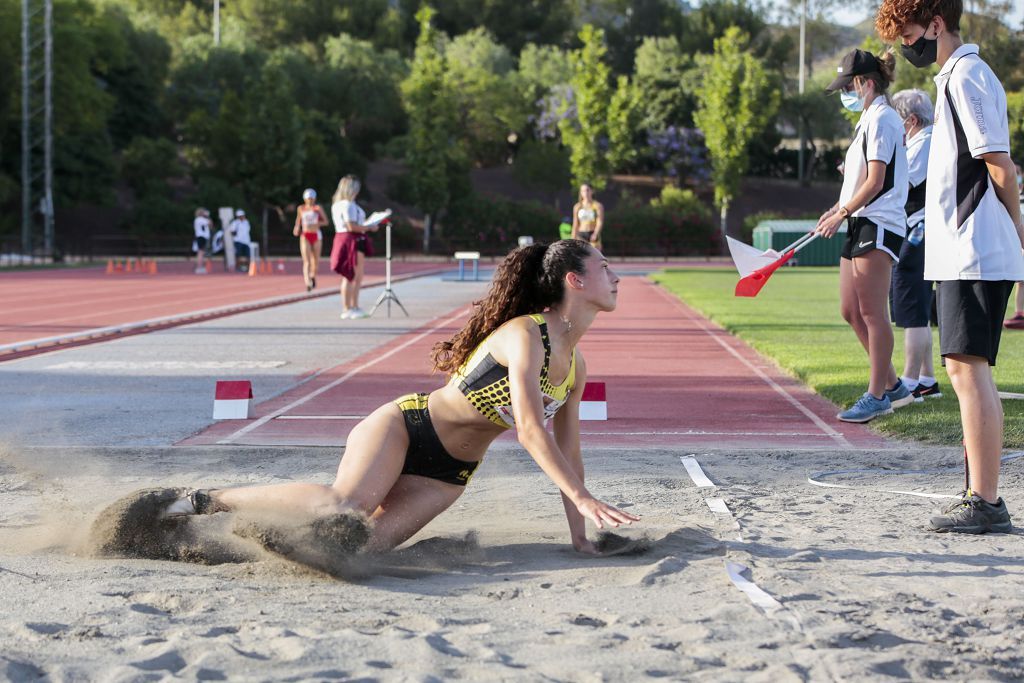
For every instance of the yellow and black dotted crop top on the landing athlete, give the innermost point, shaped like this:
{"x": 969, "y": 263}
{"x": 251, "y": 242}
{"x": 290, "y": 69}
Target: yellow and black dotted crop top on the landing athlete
{"x": 486, "y": 382}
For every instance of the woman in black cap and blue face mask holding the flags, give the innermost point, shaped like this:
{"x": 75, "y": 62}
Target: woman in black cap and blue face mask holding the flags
{"x": 875, "y": 189}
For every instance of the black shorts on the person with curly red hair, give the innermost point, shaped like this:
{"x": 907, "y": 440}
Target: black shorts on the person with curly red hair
{"x": 971, "y": 315}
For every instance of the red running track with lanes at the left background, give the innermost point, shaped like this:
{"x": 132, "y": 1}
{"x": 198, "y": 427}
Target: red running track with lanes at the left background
{"x": 80, "y": 306}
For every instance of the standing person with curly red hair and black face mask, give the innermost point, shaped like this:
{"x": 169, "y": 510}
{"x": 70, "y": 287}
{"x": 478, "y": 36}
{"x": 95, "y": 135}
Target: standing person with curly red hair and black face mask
{"x": 975, "y": 237}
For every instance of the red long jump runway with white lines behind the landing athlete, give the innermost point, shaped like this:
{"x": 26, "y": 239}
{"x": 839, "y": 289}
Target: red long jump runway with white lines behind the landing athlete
{"x": 673, "y": 380}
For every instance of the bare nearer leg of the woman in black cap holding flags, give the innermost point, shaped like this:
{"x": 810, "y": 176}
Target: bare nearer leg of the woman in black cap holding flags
{"x": 872, "y": 274}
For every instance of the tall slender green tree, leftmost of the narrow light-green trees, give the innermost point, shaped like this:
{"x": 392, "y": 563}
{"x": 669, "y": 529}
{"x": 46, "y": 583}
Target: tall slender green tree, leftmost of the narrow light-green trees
{"x": 432, "y": 123}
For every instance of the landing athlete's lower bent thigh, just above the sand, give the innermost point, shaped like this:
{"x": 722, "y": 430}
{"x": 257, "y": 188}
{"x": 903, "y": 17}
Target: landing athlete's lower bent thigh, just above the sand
{"x": 411, "y": 504}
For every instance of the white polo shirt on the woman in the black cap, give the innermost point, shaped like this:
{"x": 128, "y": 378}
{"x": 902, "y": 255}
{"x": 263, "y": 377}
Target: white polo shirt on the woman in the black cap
{"x": 879, "y": 137}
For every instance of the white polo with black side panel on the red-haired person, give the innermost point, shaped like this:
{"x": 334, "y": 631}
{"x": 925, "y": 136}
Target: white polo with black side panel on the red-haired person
{"x": 970, "y": 234}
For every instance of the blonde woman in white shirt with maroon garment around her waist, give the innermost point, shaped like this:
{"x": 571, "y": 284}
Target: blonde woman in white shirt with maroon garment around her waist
{"x": 352, "y": 245}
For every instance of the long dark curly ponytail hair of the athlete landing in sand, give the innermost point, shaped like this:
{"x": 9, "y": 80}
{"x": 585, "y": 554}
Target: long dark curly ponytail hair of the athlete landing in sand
{"x": 531, "y": 280}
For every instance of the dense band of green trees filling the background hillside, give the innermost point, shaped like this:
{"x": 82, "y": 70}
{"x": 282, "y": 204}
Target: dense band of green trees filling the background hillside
{"x": 154, "y": 118}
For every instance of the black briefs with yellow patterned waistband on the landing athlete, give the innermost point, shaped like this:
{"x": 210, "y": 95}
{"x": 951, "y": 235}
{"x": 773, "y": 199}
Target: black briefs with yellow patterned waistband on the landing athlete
{"x": 426, "y": 456}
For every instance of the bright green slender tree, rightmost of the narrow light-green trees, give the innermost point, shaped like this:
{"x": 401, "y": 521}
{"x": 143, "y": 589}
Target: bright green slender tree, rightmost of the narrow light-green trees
{"x": 736, "y": 106}
